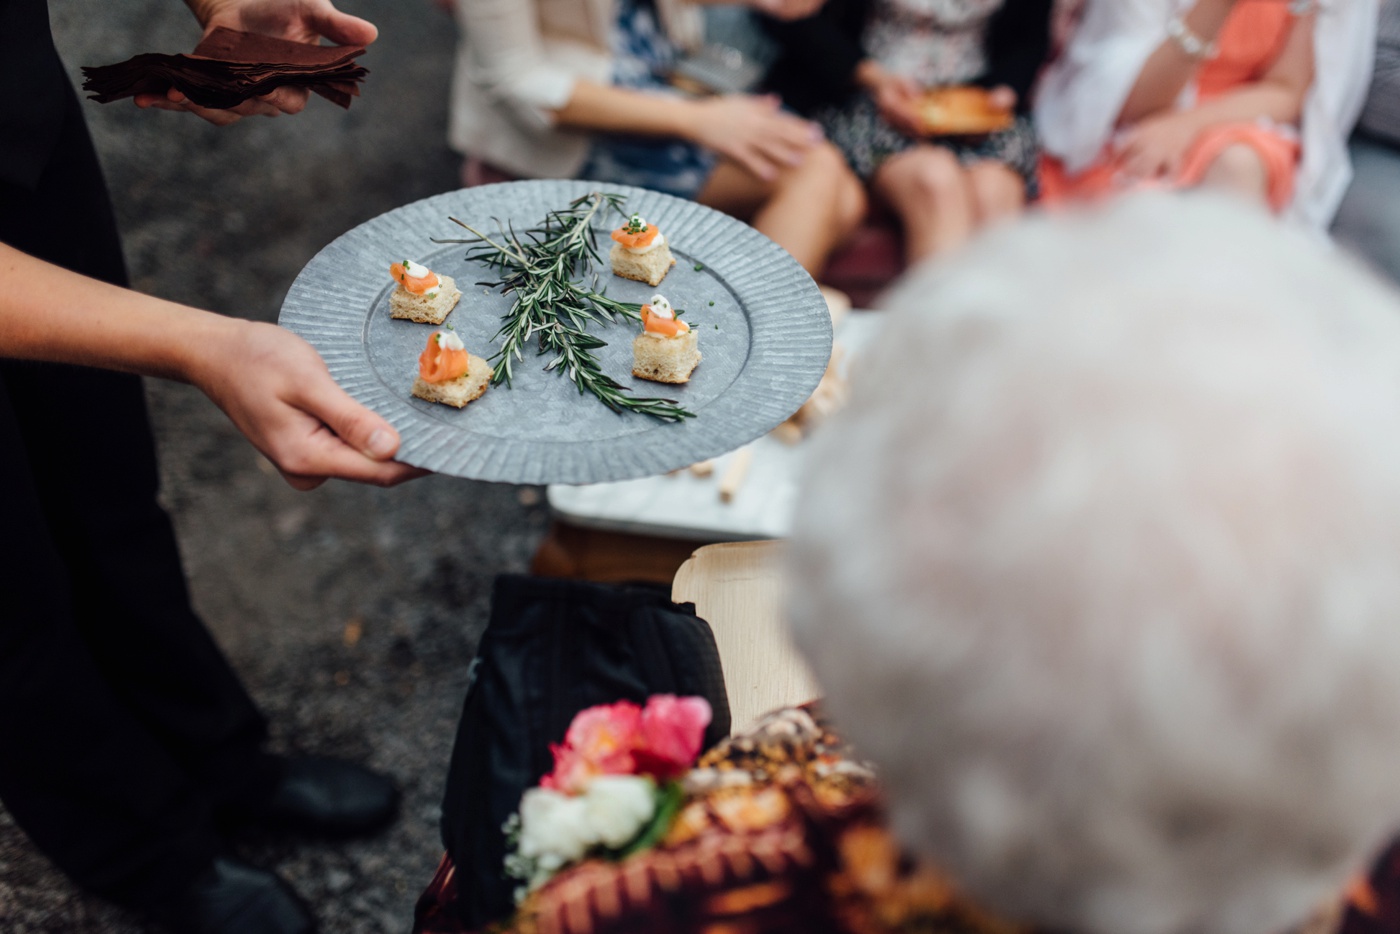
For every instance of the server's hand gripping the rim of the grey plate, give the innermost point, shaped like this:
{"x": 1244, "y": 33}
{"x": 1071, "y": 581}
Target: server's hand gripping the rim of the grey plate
{"x": 278, "y": 391}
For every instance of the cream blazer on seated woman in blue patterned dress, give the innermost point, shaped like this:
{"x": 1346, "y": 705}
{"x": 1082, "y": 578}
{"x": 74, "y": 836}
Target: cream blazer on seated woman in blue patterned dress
{"x": 517, "y": 64}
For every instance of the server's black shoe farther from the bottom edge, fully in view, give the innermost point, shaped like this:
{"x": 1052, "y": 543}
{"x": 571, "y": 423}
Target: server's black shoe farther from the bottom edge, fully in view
{"x": 330, "y": 796}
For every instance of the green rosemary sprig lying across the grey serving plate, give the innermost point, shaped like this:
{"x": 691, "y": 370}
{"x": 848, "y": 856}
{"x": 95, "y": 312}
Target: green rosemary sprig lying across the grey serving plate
{"x": 544, "y": 271}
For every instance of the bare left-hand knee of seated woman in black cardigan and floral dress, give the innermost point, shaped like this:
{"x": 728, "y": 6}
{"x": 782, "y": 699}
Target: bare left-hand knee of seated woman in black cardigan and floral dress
{"x": 930, "y": 193}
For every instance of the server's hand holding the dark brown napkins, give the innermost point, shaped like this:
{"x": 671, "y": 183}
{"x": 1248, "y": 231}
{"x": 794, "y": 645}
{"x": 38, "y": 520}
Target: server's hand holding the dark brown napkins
{"x": 297, "y": 20}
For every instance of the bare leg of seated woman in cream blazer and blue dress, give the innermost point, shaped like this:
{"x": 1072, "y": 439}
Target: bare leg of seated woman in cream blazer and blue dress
{"x": 808, "y": 211}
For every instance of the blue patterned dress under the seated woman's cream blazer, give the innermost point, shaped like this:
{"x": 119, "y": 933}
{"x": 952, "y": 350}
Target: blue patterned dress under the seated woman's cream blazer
{"x": 642, "y": 58}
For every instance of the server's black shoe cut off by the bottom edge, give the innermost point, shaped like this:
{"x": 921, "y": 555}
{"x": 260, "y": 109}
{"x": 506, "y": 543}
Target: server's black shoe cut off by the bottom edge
{"x": 236, "y": 898}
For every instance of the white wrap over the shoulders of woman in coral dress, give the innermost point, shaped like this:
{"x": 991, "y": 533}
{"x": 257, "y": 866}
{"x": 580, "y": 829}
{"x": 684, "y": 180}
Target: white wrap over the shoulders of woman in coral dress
{"x": 1083, "y": 93}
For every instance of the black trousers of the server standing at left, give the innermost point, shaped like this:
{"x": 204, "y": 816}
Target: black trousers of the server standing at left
{"x": 124, "y": 732}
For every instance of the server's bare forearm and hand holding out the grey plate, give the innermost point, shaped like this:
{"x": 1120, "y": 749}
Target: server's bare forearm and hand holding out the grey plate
{"x": 272, "y": 384}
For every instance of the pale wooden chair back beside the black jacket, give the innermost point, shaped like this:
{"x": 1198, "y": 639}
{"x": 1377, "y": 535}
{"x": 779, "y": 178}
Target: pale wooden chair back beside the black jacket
{"x": 738, "y": 589}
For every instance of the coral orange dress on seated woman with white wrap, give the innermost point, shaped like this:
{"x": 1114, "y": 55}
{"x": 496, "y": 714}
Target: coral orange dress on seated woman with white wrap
{"x": 1249, "y": 44}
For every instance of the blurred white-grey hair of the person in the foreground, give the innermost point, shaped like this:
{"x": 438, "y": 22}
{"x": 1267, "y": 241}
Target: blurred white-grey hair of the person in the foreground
{"x": 1102, "y": 568}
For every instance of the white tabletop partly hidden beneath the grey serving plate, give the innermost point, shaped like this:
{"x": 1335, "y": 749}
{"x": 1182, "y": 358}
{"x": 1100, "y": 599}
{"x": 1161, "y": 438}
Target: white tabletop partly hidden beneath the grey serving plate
{"x": 689, "y": 508}
